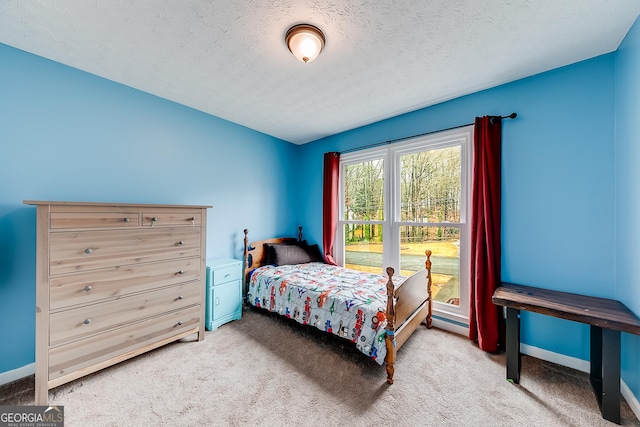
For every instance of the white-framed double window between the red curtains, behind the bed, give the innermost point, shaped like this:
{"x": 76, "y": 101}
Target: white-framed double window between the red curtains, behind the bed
{"x": 402, "y": 199}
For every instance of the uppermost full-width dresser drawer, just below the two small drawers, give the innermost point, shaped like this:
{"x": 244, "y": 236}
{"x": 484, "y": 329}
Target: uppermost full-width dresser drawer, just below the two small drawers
{"x": 89, "y": 250}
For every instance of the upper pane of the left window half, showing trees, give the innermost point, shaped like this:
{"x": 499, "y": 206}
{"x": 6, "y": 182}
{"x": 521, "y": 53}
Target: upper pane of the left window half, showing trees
{"x": 363, "y": 191}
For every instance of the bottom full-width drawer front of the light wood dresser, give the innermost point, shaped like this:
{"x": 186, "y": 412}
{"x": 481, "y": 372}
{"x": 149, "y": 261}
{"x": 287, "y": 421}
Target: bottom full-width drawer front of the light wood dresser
{"x": 117, "y": 343}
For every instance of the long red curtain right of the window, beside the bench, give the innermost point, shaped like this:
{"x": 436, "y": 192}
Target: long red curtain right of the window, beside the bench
{"x": 486, "y": 323}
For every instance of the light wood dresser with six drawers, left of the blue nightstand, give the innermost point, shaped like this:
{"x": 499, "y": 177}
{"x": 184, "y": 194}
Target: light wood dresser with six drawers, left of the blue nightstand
{"x": 114, "y": 281}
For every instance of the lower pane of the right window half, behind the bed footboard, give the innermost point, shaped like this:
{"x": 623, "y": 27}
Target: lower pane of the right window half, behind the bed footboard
{"x": 444, "y": 243}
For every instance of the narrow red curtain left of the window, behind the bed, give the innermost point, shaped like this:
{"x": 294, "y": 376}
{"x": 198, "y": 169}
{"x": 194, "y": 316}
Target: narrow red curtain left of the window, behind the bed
{"x": 331, "y": 178}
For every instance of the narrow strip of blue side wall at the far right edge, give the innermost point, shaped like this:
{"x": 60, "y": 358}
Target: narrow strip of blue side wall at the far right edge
{"x": 627, "y": 181}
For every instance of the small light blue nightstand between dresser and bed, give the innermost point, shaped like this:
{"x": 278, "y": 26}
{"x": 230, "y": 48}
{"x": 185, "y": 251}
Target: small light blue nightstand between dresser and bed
{"x": 224, "y": 292}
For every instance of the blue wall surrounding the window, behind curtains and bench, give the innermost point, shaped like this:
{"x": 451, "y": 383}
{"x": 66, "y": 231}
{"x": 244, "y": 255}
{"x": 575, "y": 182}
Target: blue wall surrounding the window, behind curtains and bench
{"x": 558, "y": 183}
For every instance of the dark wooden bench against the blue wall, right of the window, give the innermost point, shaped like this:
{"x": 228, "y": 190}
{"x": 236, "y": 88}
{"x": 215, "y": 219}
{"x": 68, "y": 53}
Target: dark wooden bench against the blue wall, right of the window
{"x": 607, "y": 319}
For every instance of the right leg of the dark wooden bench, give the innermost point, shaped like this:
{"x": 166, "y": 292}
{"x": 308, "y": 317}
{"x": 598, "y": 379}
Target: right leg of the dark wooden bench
{"x": 605, "y": 371}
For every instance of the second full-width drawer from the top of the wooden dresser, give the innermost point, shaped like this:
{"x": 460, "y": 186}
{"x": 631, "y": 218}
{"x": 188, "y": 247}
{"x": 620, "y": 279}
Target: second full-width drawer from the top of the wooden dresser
{"x": 91, "y": 287}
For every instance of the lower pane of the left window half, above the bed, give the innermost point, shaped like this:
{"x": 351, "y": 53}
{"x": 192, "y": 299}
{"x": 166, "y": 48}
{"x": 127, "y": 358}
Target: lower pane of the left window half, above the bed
{"x": 363, "y": 247}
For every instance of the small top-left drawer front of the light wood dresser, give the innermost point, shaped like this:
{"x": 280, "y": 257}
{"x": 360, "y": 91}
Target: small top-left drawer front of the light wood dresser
{"x": 94, "y": 219}
